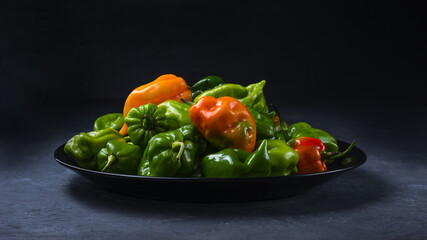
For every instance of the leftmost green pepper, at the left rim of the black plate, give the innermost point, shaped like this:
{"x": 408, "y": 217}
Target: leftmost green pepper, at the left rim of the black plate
{"x": 84, "y": 147}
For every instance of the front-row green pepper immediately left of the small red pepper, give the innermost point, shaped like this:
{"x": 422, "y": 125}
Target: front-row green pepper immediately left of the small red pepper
{"x": 284, "y": 159}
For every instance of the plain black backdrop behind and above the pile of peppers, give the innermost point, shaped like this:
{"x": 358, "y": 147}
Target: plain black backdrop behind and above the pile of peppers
{"x": 67, "y": 50}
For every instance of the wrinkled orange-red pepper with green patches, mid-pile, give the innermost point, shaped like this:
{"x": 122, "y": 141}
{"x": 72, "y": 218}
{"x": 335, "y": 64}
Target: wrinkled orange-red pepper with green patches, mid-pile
{"x": 225, "y": 122}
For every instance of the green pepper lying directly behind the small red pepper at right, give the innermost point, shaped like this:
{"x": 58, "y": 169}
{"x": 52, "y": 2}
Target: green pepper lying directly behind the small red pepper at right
{"x": 302, "y": 129}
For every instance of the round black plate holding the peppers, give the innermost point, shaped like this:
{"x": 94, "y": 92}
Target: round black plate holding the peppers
{"x": 214, "y": 189}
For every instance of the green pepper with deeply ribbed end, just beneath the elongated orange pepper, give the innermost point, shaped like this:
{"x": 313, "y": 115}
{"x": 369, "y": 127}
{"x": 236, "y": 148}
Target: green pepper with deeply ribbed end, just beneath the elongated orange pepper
{"x": 147, "y": 120}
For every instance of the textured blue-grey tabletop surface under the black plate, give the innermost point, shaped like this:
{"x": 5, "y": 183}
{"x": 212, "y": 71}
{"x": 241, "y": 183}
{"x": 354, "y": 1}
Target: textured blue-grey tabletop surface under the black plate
{"x": 383, "y": 199}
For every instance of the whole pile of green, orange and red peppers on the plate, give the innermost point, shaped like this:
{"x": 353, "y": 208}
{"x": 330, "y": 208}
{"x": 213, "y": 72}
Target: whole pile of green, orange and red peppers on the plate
{"x": 211, "y": 129}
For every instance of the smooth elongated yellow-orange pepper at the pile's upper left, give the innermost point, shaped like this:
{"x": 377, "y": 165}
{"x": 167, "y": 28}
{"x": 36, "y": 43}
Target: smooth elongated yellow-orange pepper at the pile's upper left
{"x": 165, "y": 87}
